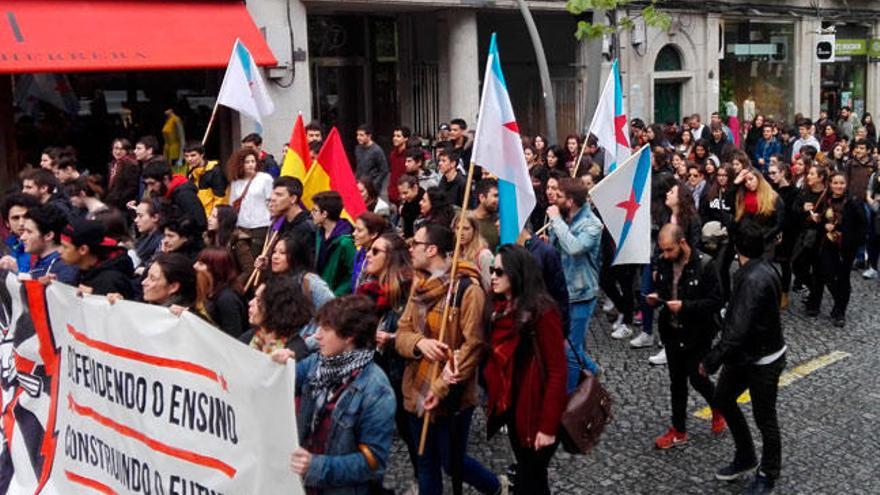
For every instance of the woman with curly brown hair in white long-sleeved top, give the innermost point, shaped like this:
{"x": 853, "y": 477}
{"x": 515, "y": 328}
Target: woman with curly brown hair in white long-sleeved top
{"x": 249, "y": 193}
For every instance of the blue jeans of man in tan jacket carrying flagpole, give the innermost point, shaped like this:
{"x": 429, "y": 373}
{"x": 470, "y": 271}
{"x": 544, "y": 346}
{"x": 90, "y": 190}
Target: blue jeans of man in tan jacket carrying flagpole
{"x": 438, "y": 452}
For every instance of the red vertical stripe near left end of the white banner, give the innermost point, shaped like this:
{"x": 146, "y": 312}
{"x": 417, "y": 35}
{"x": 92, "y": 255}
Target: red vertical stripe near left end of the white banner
{"x": 36, "y": 295}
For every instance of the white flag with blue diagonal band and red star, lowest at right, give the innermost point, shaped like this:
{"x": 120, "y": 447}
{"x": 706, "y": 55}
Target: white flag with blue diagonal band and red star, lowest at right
{"x": 623, "y": 198}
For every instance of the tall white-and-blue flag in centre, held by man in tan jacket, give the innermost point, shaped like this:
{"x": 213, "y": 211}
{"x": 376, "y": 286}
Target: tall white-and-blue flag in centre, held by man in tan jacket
{"x": 498, "y": 149}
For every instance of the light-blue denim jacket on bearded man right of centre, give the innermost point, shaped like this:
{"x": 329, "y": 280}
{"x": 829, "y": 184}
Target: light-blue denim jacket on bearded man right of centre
{"x": 579, "y": 244}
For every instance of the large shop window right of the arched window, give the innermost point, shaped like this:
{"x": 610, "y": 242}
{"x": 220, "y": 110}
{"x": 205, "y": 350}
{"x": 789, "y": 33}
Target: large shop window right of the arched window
{"x": 758, "y": 67}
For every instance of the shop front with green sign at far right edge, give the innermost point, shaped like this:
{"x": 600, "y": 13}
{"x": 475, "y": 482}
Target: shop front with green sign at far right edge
{"x": 843, "y": 81}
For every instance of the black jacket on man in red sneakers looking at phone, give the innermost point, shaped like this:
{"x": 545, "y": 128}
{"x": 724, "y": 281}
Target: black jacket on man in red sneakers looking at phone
{"x": 699, "y": 291}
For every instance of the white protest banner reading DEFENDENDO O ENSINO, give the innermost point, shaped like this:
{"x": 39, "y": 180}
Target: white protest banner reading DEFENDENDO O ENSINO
{"x": 140, "y": 401}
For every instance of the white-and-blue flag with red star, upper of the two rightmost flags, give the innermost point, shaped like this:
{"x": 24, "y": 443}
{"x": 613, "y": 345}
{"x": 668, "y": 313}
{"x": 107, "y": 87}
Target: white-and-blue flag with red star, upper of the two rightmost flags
{"x": 609, "y": 123}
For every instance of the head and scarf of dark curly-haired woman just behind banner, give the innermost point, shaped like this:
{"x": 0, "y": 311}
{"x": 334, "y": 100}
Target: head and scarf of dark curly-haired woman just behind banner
{"x": 278, "y": 313}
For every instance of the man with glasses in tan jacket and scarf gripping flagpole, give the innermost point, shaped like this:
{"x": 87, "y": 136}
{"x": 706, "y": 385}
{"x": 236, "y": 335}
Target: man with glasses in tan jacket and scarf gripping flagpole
{"x": 418, "y": 341}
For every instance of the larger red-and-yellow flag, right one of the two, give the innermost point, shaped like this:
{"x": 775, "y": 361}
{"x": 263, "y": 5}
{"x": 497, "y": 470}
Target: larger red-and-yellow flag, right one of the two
{"x": 331, "y": 171}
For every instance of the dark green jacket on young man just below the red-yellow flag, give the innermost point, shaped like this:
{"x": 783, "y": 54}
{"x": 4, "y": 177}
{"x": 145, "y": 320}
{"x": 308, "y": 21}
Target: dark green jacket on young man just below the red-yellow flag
{"x": 335, "y": 257}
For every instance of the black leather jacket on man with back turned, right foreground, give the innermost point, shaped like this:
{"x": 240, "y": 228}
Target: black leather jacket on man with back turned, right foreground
{"x": 752, "y": 328}
